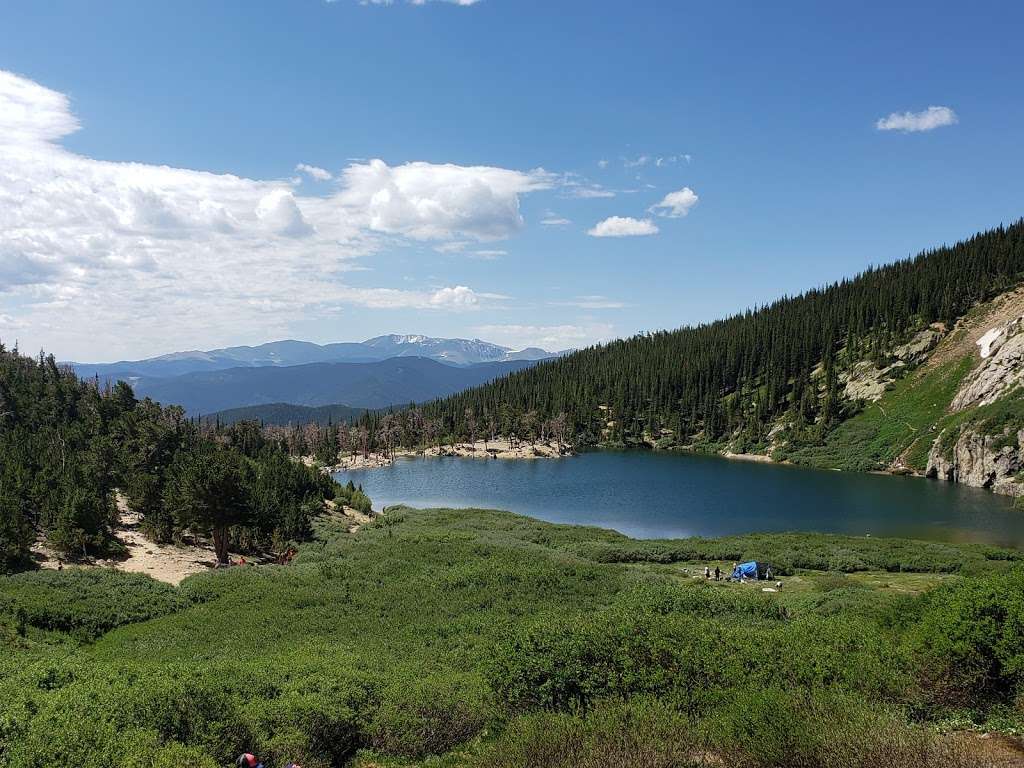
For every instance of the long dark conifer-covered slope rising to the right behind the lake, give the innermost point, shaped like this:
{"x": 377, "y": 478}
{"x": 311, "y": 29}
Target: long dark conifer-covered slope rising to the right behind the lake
{"x": 736, "y": 378}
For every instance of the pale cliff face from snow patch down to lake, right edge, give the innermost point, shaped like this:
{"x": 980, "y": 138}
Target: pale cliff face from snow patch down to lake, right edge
{"x": 986, "y": 453}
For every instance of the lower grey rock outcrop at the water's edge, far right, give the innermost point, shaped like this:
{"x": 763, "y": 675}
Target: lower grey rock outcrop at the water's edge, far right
{"x": 983, "y": 461}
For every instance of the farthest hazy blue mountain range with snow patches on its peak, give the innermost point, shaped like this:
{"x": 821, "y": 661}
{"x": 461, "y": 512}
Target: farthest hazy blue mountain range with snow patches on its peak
{"x": 284, "y": 354}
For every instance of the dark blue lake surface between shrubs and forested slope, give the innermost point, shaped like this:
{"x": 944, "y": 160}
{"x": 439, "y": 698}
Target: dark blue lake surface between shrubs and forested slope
{"x": 650, "y": 495}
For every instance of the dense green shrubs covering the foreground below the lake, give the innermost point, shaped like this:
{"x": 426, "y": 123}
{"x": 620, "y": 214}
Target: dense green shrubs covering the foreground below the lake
{"x": 493, "y": 641}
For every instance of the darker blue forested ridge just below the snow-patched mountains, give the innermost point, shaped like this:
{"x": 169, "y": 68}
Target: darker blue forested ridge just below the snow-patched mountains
{"x": 397, "y": 381}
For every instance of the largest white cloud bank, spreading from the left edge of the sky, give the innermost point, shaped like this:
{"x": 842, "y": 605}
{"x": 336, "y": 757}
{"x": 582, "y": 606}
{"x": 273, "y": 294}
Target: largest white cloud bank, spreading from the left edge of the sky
{"x": 102, "y": 260}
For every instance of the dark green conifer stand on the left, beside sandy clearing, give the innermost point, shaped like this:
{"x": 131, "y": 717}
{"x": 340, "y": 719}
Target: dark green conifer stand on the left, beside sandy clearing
{"x": 66, "y": 446}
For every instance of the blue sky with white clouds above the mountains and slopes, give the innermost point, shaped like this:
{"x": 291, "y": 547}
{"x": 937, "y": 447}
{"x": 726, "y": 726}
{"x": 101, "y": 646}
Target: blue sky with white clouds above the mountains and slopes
{"x": 479, "y": 123}
